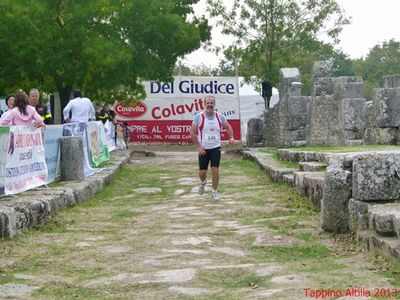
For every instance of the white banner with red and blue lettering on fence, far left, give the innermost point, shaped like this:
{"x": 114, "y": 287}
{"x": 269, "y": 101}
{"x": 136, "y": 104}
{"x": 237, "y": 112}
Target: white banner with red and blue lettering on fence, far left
{"x": 26, "y": 164}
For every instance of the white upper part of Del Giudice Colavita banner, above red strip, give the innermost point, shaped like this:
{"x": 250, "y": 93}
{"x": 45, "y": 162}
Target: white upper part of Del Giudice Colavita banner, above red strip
{"x": 182, "y": 98}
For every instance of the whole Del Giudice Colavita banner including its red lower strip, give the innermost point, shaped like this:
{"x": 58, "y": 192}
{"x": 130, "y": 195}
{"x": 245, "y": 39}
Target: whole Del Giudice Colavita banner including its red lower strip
{"x": 168, "y": 111}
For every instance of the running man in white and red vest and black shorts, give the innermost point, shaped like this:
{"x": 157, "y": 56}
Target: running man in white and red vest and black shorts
{"x": 206, "y": 136}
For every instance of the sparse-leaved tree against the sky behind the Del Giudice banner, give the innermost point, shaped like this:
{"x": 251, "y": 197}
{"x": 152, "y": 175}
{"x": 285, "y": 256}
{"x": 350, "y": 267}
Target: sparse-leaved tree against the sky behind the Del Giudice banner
{"x": 270, "y": 34}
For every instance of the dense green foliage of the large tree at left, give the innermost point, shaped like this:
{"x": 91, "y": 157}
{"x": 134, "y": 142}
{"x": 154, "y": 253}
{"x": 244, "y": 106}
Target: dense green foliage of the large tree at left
{"x": 103, "y": 47}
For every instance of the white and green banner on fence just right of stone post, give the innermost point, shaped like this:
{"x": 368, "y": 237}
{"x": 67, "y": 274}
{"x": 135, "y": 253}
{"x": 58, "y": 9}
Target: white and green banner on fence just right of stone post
{"x": 97, "y": 143}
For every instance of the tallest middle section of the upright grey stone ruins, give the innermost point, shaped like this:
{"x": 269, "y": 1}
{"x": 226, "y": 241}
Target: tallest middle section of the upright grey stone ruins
{"x": 337, "y": 108}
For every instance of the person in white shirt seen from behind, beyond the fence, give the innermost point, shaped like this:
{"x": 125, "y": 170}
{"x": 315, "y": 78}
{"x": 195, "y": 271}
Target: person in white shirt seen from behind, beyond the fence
{"x": 81, "y": 109}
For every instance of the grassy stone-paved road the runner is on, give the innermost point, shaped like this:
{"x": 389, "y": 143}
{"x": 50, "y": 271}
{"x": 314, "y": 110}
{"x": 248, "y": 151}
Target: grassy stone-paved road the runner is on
{"x": 151, "y": 236}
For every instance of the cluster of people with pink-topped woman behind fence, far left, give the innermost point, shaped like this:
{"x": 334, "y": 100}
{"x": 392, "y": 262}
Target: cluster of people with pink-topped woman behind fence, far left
{"x": 26, "y": 110}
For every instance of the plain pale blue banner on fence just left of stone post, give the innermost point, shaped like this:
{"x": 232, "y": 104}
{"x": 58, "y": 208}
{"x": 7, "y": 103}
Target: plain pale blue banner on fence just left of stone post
{"x": 52, "y": 137}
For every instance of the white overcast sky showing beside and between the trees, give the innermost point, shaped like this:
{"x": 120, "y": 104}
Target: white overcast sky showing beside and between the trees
{"x": 373, "y": 21}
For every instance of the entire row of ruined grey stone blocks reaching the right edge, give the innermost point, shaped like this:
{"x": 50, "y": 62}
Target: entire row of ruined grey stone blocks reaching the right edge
{"x": 335, "y": 114}
